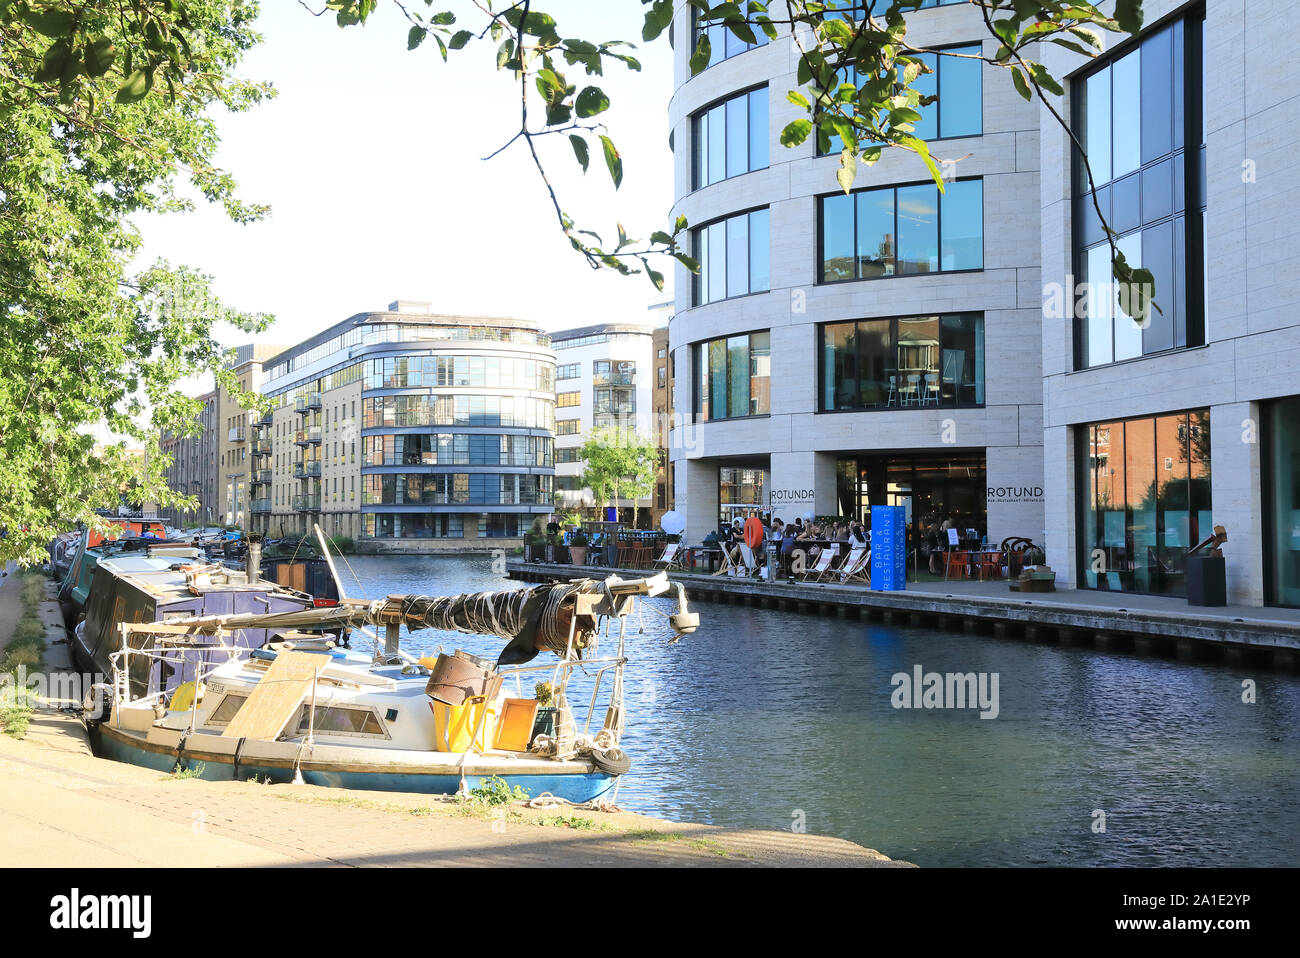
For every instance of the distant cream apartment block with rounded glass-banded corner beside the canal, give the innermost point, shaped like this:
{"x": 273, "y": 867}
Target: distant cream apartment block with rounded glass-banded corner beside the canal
{"x": 413, "y": 431}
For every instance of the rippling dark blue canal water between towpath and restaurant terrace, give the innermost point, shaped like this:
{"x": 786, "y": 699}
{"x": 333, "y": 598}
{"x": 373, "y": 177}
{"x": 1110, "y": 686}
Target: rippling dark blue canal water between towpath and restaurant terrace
{"x": 785, "y": 721}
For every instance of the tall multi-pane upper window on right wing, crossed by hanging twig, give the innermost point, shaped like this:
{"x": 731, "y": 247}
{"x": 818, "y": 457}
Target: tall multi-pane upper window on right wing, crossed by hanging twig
{"x": 1139, "y": 119}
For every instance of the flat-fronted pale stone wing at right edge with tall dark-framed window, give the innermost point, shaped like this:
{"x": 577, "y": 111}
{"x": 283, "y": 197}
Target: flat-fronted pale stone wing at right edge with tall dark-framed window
{"x": 1156, "y": 432}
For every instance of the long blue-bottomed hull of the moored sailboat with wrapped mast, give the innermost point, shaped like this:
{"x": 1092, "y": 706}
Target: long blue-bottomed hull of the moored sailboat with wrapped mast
{"x": 573, "y": 783}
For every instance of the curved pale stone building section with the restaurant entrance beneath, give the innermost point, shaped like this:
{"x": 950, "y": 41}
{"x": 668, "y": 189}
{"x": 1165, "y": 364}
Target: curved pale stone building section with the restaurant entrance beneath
{"x": 840, "y": 352}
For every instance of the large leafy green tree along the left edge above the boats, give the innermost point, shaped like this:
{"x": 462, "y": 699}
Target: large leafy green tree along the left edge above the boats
{"x": 103, "y": 109}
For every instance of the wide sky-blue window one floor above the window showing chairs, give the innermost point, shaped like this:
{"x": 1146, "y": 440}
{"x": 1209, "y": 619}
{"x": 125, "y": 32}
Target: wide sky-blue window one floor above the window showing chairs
{"x": 903, "y": 231}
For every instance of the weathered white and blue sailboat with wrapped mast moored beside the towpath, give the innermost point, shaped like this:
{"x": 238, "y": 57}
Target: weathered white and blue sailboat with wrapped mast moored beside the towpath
{"x": 304, "y": 710}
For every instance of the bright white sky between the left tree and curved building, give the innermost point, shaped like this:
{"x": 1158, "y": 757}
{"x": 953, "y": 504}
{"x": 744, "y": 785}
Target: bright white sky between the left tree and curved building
{"x": 371, "y": 159}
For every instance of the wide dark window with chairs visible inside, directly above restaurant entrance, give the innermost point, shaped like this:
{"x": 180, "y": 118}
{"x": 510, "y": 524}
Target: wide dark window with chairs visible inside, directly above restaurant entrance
{"x": 904, "y": 362}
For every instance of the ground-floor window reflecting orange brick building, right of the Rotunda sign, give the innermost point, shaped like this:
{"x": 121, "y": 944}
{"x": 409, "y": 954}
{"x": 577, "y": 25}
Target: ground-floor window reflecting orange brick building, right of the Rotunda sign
{"x": 1146, "y": 501}
